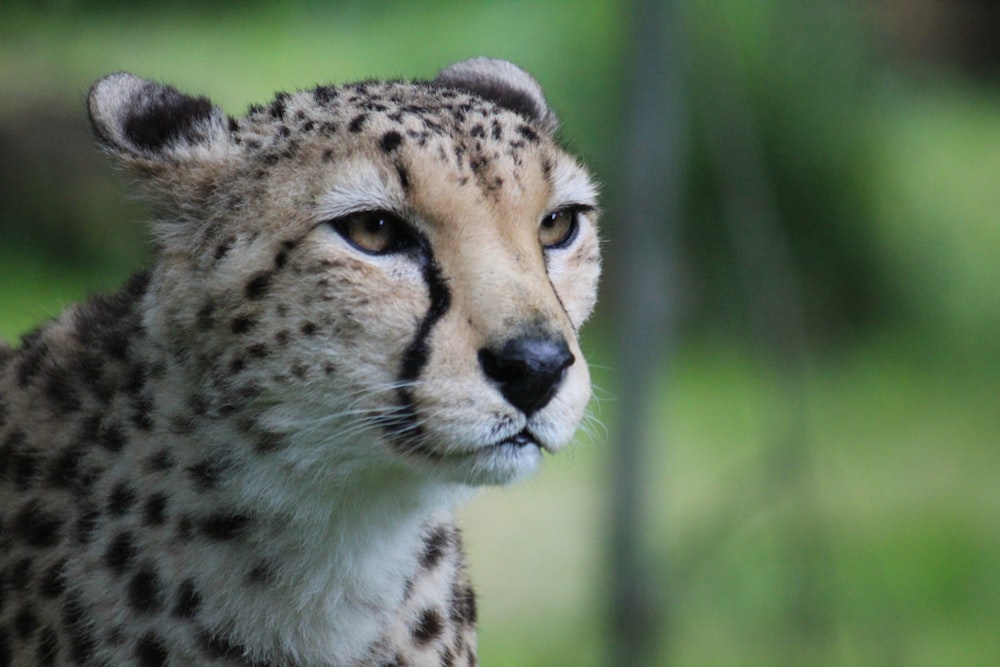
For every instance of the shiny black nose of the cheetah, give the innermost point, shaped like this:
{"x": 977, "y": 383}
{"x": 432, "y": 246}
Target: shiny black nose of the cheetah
{"x": 527, "y": 370}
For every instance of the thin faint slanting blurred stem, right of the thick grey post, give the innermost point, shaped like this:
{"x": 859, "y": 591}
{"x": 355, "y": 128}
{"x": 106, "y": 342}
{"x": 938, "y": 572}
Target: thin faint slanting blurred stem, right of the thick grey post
{"x": 771, "y": 282}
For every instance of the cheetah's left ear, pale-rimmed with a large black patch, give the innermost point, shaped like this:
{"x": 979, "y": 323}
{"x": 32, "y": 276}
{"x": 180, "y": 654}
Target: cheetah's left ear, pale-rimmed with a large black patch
{"x": 143, "y": 122}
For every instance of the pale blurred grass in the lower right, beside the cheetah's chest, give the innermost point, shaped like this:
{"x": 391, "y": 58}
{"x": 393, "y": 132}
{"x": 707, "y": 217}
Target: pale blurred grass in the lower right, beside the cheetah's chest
{"x": 904, "y": 465}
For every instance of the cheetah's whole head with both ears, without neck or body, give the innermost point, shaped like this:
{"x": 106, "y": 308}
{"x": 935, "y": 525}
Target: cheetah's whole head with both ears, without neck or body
{"x": 392, "y": 273}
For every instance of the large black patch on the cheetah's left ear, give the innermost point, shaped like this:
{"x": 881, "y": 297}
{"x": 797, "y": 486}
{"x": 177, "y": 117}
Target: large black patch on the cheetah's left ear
{"x": 165, "y": 117}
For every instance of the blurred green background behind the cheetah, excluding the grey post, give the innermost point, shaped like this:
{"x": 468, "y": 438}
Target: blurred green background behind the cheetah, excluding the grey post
{"x": 832, "y": 499}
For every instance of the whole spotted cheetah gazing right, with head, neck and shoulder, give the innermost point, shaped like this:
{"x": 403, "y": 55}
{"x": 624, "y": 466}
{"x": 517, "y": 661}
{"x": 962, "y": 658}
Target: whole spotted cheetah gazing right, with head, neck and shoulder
{"x": 364, "y": 304}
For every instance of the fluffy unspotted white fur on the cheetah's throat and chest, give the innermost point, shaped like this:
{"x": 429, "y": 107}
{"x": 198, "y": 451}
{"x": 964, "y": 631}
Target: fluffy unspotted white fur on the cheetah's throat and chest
{"x": 347, "y": 549}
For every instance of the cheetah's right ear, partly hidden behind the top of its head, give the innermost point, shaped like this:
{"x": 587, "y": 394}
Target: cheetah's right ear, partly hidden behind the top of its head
{"x": 504, "y": 84}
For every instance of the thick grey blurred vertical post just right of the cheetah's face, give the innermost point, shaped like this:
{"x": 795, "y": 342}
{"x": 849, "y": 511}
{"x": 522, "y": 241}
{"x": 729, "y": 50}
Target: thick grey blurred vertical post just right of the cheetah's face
{"x": 645, "y": 241}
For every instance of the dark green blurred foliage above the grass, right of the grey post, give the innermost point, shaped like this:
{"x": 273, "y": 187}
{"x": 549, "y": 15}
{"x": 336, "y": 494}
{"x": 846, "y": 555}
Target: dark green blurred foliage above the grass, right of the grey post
{"x": 788, "y": 85}
